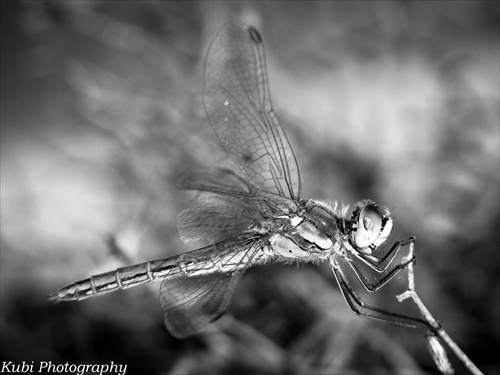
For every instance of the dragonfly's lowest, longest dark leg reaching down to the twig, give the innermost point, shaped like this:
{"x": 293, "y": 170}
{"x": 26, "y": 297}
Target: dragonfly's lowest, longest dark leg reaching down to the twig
{"x": 361, "y": 308}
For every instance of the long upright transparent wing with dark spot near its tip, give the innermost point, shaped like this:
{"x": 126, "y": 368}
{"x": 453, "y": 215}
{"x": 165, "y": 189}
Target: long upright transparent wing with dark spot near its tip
{"x": 238, "y": 105}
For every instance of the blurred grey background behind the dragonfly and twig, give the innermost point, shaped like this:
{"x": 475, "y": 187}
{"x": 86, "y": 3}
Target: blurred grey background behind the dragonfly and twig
{"x": 101, "y": 112}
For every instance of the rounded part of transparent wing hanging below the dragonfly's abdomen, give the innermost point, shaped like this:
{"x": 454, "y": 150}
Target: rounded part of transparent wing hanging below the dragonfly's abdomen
{"x": 192, "y": 303}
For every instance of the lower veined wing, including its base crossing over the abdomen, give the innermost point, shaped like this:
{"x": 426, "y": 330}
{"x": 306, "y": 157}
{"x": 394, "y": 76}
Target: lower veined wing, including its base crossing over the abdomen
{"x": 195, "y": 299}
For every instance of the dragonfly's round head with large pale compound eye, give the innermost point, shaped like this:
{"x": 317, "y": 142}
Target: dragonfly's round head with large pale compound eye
{"x": 371, "y": 225}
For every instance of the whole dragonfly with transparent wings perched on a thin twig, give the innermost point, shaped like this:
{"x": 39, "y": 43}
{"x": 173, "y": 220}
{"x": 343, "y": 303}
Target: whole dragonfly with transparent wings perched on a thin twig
{"x": 253, "y": 213}
